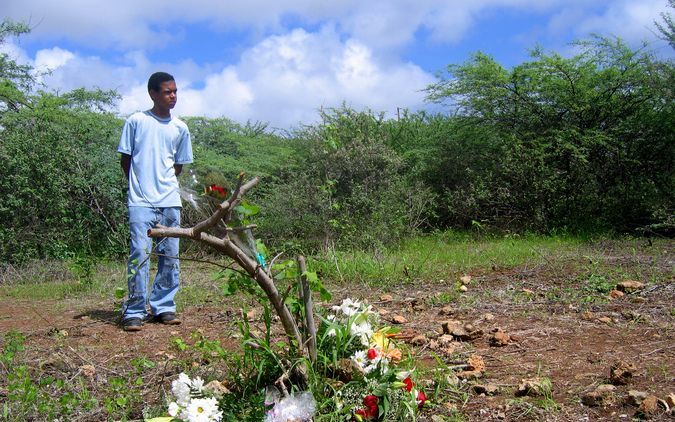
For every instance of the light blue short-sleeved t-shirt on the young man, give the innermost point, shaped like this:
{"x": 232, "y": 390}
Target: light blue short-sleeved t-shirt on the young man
{"x": 155, "y": 145}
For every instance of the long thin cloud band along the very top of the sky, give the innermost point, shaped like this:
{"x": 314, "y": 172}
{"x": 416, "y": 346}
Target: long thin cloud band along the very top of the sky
{"x": 154, "y": 24}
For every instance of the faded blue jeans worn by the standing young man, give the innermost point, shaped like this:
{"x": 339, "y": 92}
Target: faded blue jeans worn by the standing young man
{"x": 165, "y": 285}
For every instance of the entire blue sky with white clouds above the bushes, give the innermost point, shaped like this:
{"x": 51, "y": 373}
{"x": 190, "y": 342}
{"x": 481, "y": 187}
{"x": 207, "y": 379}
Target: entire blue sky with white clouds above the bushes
{"x": 279, "y": 61}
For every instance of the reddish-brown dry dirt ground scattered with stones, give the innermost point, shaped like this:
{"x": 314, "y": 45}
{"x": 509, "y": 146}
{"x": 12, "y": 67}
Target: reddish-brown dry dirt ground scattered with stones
{"x": 553, "y": 331}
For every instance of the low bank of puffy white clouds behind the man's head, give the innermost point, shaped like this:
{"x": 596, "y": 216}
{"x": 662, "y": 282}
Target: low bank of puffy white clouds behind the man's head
{"x": 283, "y": 80}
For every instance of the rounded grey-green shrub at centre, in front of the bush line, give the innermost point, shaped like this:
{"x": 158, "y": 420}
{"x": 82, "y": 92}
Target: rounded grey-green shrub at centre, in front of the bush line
{"x": 348, "y": 188}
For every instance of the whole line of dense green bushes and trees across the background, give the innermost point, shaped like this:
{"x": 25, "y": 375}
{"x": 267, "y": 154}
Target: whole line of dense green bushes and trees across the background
{"x": 583, "y": 143}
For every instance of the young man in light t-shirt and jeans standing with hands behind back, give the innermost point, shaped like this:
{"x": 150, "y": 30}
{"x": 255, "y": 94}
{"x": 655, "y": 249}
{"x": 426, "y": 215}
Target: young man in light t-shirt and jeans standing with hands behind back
{"x": 154, "y": 146}
